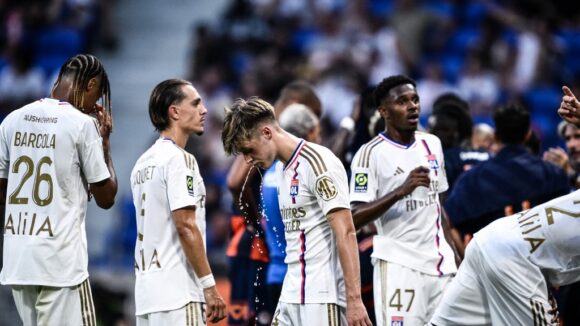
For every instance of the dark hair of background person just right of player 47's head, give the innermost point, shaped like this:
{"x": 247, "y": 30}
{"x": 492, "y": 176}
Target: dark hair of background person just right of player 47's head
{"x": 454, "y": 107}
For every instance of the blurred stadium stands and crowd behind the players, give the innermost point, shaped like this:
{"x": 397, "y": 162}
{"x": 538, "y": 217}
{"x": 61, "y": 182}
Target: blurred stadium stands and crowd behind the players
{"x": 489, "y": 52}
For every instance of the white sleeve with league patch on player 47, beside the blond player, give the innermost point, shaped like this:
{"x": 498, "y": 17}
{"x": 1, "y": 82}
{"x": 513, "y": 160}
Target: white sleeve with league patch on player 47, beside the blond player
{"x": 363, "y": 181}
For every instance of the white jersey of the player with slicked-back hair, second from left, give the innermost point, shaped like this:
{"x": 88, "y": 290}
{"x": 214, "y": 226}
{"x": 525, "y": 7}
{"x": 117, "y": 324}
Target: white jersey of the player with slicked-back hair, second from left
{"x": 164, "y": 179}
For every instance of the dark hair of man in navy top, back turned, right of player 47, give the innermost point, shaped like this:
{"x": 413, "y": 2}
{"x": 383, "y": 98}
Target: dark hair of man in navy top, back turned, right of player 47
{"x": 512, "y": 124}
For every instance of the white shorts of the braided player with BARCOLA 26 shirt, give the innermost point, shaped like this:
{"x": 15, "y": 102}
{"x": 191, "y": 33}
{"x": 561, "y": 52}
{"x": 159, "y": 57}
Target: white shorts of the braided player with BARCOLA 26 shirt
{"x": 47, "y": 306}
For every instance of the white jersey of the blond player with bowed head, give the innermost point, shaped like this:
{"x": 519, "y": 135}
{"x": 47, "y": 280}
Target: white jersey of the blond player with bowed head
{"x": 312, "y": 184}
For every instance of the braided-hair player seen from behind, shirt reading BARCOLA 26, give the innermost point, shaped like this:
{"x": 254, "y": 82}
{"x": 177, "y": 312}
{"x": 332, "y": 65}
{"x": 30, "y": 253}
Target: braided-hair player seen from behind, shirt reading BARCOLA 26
{"x": 53, "y": 156}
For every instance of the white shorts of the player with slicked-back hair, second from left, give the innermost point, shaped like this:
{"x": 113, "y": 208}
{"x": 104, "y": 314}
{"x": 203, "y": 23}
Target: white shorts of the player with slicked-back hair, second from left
{"x": 192, "y": 314}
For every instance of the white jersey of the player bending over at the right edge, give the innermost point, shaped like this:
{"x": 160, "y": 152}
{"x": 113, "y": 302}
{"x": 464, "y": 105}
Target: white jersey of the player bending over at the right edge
{"x": 548, "y": 235}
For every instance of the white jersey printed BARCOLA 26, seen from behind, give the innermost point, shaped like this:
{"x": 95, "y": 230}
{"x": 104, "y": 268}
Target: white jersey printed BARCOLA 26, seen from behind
{"x": 49, "y": 150}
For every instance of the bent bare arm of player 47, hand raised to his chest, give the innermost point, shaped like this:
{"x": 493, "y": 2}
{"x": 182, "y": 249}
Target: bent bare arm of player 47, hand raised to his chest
{"x": 364, "y": 213}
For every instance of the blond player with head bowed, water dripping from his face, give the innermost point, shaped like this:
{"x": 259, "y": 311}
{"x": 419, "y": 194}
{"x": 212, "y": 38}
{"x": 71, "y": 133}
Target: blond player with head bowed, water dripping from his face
{"x": 313, "y": 198}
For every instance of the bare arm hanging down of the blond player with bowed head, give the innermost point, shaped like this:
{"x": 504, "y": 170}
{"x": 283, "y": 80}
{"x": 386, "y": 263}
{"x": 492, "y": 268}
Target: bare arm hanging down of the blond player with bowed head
{"x": 341, "y": 224}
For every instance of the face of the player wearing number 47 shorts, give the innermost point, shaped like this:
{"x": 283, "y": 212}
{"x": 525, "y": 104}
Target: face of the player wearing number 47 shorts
{"x": 401, "y": 108}
